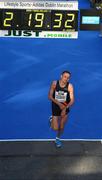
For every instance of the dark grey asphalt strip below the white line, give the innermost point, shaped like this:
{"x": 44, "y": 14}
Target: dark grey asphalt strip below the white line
{"x": 76, "y": 160}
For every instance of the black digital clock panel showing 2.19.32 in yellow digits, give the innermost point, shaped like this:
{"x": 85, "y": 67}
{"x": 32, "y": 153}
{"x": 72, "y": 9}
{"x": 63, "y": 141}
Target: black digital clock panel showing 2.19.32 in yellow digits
{"x": 39, "y": 20}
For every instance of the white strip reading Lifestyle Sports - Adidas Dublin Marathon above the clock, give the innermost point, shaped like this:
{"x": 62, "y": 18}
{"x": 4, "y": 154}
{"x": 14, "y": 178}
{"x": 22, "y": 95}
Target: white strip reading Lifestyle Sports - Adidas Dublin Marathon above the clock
{"x": 56, "y": 5}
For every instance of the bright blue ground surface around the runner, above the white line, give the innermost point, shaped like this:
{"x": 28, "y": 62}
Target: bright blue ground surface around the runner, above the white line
{"x": 27, "y": 68}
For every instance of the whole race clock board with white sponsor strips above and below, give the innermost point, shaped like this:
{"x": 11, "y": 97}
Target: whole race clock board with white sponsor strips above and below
{"x": 45, "y": 18}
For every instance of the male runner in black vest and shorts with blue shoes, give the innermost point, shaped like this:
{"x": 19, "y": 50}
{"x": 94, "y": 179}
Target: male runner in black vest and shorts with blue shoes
{"x": 62, "y": 96}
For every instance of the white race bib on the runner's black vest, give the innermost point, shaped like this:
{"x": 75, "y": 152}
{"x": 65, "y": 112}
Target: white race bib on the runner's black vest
{"x": 61, "y": 96}
